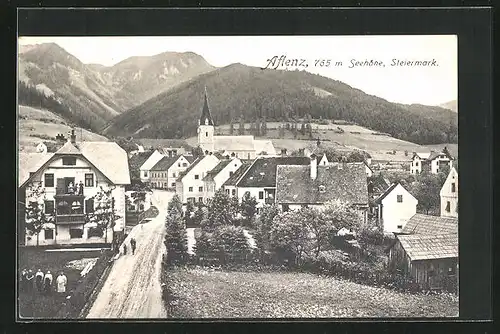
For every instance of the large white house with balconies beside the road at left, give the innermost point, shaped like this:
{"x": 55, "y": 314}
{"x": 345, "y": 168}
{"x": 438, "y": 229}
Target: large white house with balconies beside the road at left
{"x": 94, "y": 165}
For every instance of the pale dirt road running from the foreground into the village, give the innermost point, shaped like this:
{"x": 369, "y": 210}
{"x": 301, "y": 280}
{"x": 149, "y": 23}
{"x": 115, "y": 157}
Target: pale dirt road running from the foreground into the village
{"x": 132, "y": 289}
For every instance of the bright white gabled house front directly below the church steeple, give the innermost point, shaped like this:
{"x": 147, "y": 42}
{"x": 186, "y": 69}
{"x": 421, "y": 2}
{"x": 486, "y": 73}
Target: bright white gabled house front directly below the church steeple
{"x": 190, "y": 185}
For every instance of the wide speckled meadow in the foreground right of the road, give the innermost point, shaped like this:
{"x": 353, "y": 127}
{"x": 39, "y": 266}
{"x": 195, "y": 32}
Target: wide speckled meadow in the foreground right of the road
{"x": 203, "y": 293}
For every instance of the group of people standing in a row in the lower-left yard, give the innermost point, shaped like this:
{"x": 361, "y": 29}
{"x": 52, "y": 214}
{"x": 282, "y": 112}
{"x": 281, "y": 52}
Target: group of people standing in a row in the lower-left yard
{"x": 42, "y": 282}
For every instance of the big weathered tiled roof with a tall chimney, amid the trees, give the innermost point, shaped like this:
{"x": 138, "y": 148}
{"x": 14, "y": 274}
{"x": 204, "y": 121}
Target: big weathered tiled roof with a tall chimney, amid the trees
{"x": 294, "y": 184}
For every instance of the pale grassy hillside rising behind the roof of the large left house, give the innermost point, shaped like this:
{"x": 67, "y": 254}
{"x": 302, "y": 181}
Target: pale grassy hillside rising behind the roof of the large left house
{"x": 36, "y": 125}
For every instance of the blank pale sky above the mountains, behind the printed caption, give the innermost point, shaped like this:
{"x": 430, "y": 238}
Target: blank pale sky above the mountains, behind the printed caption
{"x": 429, "y": 85}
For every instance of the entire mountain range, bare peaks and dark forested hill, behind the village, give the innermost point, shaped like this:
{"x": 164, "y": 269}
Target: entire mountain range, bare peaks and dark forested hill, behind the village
{"x": 161, "y": 96}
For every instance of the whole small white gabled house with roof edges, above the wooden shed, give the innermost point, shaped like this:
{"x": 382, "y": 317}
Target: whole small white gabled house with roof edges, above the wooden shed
{"x": 394, "y": 208}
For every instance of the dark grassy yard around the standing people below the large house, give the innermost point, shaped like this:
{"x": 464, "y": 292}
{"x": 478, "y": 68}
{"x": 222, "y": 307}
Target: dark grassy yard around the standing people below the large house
{"x": 31, "y": 303}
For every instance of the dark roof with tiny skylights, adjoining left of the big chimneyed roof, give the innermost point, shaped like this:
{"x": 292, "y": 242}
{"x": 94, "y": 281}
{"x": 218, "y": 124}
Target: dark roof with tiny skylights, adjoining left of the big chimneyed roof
{"x": 263, "y": 171}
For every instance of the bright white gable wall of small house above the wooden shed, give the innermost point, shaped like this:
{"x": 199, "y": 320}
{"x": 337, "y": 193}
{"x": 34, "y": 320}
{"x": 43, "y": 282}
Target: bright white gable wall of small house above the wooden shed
{"x": 395, "y": 215}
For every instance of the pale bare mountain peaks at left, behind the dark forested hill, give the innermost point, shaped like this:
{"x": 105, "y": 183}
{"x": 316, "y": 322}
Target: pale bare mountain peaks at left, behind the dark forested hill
{"x": 95, "y": 94}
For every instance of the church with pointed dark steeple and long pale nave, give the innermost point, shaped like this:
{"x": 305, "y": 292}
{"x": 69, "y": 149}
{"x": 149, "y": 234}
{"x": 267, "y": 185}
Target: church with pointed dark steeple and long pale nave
{"x": 243, "y": 147}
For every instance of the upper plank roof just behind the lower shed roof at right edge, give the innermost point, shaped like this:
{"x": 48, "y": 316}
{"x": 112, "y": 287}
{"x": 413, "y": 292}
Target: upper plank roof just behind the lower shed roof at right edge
{"x": 425, "y": 224}
